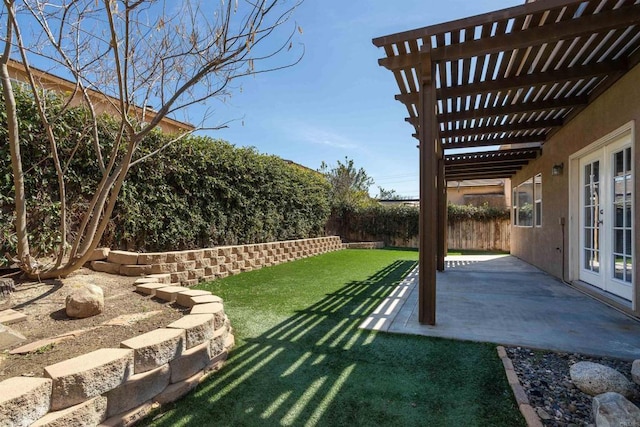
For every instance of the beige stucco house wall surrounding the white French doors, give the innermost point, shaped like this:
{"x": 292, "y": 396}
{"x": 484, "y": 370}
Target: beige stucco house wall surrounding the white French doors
{"x": 554, "y": 247}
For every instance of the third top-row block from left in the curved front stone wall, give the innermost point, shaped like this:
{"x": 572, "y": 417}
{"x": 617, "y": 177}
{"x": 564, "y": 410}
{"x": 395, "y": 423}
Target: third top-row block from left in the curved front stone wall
{"x": 154, "y": 349}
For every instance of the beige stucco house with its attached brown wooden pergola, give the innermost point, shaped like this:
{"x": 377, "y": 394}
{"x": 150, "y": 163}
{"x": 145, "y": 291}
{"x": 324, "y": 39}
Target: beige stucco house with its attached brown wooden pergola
{"x": 558, "y": 82}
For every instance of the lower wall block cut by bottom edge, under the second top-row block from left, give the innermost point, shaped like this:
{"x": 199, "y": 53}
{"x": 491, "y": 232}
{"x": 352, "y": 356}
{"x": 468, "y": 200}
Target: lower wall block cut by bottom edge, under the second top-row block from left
{"x": 88, "y": 413}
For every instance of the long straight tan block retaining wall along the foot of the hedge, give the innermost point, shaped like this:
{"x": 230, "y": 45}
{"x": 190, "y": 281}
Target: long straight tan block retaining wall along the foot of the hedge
{"x": 190, "y": 267}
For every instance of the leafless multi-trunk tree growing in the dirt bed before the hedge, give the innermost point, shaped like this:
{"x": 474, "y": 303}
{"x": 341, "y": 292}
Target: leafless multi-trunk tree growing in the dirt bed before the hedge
{"x": 125, "y": 56}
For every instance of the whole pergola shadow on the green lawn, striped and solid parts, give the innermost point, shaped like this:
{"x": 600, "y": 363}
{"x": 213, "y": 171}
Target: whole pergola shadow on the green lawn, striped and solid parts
{"x": 318, "y": 368}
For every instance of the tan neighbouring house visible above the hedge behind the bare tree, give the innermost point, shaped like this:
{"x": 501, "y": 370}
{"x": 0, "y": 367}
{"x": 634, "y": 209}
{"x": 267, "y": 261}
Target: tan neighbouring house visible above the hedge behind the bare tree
{"x": 102, "y": 103}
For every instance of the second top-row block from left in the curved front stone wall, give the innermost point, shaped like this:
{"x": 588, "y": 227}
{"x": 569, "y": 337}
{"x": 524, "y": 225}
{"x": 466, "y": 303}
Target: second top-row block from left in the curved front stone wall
{"x": 84, "y": 377}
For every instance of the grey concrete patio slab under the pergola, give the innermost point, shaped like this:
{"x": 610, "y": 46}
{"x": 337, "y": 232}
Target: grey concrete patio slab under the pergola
{"x": 504, "y": 300}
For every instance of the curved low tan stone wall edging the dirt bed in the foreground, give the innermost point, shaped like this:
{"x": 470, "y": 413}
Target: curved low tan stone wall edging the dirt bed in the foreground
{"x": 119, "y": 386}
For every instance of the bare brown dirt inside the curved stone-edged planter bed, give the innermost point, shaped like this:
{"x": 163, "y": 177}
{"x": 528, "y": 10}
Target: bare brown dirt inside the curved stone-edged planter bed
{"x": 126, "y": 314}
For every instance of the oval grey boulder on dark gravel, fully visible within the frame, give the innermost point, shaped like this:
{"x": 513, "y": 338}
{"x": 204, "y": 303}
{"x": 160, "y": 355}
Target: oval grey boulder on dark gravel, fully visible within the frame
{"x": 594, "y": 379}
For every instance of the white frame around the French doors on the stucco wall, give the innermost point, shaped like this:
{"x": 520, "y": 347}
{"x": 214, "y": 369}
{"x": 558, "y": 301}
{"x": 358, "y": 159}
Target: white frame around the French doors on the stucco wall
{"x": 574, "y": 230}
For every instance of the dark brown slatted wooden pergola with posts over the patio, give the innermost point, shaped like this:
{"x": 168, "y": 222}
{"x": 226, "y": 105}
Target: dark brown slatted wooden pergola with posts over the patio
{"x": 509, "y": 78}
